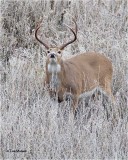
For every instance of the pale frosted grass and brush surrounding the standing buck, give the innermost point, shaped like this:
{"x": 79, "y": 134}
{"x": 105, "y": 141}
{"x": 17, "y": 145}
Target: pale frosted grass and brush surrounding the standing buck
{"x": 30, "y": 121}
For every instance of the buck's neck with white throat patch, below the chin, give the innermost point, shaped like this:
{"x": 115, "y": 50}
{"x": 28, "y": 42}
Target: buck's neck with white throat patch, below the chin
{"x": 54, "y": 71}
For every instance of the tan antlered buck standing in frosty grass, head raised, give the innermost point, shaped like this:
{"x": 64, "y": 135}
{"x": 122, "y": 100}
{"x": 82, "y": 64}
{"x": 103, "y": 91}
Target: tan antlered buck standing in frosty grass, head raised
{"x": 81, "y": 73}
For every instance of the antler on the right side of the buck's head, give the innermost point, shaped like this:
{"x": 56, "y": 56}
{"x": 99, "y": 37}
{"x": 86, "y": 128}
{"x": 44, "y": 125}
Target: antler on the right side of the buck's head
{"x": 75, "y": 36}
